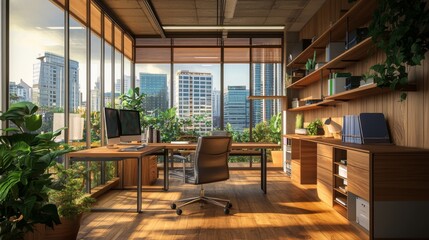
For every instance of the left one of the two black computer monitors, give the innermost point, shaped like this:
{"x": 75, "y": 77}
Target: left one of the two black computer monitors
{"x": 113, "y": 126}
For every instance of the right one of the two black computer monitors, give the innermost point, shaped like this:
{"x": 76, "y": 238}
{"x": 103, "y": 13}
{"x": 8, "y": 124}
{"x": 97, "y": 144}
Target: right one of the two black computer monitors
{"x": 130, "y": 125}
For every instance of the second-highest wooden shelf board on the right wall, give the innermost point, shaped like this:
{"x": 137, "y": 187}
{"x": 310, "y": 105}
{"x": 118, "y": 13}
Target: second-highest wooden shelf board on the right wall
{"x": 354, "y": 54}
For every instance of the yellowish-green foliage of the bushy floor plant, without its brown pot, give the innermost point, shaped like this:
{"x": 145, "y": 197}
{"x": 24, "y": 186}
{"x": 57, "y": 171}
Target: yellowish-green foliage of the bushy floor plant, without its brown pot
{"x": 69, "y": 196}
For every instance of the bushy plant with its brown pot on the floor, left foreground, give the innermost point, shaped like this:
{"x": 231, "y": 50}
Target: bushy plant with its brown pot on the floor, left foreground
{"x": 70, "y": 200}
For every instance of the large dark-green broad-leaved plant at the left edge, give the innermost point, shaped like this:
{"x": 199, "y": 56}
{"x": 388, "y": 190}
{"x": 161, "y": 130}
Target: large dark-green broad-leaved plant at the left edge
{"x": 25, "y": 157}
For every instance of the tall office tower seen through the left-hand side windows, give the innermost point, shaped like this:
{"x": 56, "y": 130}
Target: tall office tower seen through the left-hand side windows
{"x": 48, "y": 82}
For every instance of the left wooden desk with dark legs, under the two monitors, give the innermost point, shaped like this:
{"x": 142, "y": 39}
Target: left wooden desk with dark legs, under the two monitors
{"x": 106, "y": 154}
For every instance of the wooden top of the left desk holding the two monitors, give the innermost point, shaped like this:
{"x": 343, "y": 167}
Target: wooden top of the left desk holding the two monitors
{"x": 114, "y": 152}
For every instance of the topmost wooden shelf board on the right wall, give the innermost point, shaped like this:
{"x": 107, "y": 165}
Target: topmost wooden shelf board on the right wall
{"x": 355, "y": 17}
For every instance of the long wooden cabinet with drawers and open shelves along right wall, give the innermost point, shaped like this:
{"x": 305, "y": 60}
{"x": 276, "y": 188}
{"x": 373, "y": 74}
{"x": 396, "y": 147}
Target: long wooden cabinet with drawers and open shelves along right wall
{"x": 392, "y": 181}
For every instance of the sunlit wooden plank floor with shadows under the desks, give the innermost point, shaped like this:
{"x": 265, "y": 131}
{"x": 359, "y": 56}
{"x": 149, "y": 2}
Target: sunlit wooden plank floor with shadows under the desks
{"x": 286, "y": 212}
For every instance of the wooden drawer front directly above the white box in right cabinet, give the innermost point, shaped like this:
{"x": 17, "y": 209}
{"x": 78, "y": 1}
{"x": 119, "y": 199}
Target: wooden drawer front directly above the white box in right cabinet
{"x": 358, "y": 181}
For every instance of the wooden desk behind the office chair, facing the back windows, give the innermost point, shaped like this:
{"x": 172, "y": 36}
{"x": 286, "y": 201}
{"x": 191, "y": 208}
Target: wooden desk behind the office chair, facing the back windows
{"x": 235, "y": 146}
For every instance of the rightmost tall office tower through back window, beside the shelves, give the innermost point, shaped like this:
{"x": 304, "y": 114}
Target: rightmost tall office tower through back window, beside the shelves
{"x": 266, "y": 76}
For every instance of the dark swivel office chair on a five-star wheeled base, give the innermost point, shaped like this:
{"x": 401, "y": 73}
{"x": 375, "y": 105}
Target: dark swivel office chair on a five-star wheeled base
{"x": 210, "y": 165}
